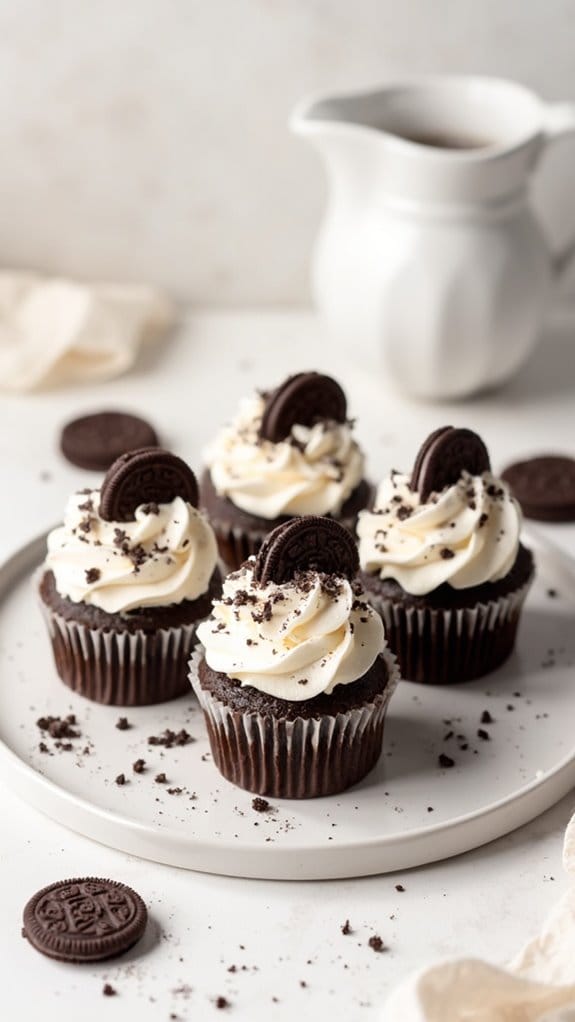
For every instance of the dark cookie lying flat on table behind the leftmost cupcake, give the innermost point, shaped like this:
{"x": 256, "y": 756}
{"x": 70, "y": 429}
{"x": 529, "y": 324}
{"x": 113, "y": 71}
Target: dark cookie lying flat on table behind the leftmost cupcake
{"x": 94, "y": 442}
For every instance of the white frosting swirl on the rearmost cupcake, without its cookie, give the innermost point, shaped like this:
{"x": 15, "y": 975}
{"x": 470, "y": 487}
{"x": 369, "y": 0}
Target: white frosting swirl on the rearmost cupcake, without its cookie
{"x": 312, "y": 473}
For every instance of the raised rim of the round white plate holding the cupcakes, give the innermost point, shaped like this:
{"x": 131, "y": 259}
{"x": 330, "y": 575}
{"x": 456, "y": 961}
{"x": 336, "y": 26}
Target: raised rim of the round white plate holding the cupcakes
{"x": 529, "y": 802}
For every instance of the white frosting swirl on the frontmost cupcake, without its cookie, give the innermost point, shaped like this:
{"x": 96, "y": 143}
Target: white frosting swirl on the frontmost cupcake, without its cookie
{"x": 292, "y": 641}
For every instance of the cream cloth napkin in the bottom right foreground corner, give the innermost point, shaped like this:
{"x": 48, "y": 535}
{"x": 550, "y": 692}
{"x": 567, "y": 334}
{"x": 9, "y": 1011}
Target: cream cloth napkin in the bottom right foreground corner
{"x": 539, "y": 986}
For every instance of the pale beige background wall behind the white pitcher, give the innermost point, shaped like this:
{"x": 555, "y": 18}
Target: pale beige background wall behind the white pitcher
{"x": 147, "y": 140}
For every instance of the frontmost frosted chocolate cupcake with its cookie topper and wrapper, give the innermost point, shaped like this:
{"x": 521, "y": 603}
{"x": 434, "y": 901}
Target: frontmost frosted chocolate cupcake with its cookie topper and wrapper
{"x": 295, "y": 679}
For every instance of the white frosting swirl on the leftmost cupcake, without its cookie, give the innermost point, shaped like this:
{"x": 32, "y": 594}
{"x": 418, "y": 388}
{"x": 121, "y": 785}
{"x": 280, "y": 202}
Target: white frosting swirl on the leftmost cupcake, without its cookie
{"x": 166, "y": 556}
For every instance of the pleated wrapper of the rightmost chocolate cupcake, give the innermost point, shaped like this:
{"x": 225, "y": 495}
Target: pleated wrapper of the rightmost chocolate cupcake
{"x": 444, "y": 647}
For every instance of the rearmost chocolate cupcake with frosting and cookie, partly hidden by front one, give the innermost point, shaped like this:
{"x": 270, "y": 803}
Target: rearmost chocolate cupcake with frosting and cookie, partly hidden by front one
{"x": 289, "y": 453}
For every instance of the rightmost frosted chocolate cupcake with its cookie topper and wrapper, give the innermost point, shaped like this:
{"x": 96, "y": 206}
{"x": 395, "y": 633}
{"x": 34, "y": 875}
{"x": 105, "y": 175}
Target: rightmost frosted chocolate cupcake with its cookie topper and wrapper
{"x": 443, "y": 563}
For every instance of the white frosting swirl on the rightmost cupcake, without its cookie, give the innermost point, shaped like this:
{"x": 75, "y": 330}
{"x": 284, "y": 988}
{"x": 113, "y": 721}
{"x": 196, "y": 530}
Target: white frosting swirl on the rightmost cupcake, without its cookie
{"x": 465, "y": 536}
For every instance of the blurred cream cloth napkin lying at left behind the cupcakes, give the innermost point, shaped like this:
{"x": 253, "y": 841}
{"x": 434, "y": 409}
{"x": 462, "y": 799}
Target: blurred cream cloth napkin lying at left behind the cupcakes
{"x": 56, "y": 332}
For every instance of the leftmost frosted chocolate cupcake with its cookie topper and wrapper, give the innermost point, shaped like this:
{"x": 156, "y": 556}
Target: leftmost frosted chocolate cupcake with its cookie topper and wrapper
{"x": 127, "y": 580}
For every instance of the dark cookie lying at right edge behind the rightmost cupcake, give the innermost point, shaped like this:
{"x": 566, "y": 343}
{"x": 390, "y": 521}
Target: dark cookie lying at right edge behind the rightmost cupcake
{"x": 545, "y": 487}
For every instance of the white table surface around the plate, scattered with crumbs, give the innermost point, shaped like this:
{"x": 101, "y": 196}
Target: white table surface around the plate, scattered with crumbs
{"x": 284, "y": 939}
